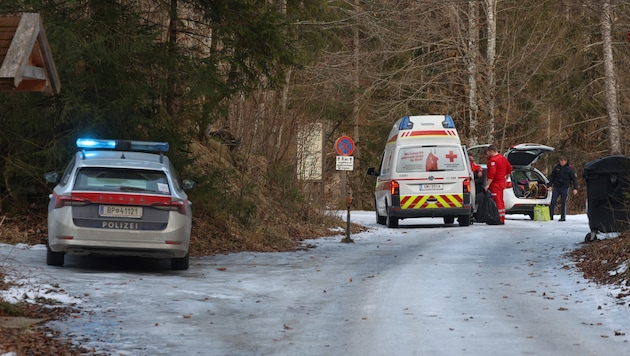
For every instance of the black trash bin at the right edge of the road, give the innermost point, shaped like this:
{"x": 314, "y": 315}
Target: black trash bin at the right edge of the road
{"x": 608, "y": 195}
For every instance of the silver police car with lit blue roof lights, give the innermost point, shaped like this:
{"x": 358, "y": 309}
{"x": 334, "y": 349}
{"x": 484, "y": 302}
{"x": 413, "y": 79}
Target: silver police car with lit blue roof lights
{"x": 120, "y": 198}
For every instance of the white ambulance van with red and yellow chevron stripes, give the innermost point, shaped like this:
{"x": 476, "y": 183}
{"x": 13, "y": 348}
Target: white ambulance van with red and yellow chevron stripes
{"x": 424, "y": 172}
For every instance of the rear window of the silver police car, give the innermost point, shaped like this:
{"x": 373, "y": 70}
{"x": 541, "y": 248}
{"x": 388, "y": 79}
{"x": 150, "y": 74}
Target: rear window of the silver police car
{"x": 120, "y": 179}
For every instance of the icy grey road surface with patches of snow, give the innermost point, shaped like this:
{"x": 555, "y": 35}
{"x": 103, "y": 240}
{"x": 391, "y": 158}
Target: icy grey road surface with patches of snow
{"x": 424, "y": 289}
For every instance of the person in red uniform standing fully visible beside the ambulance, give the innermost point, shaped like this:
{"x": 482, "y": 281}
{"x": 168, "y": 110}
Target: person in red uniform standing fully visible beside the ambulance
{"x": 498, "y": 170}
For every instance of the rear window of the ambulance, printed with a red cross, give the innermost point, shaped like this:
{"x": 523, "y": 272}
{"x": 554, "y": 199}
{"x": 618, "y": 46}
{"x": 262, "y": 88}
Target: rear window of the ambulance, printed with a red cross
{"x": 430, "y": 159}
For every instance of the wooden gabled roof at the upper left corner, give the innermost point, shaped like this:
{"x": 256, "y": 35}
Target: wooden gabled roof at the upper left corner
{"x": 26, "y": 63}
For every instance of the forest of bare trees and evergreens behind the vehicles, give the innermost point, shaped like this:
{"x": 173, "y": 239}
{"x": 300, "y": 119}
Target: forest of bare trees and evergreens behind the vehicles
{"x": 233, "y": 85}
